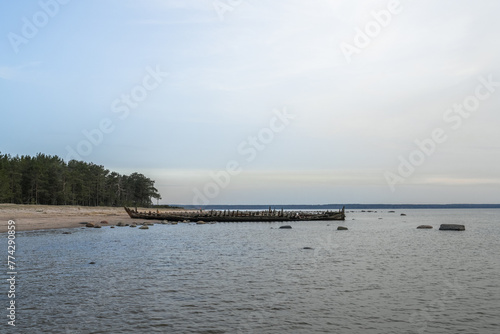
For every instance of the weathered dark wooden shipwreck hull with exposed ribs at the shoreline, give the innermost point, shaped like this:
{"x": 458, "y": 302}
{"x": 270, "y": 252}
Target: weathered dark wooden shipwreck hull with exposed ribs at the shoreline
{"x": 239, "y": 216}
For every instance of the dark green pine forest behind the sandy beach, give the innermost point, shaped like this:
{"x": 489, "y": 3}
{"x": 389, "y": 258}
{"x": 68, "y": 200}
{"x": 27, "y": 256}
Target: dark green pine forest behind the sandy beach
{"x": 45, "y": 179}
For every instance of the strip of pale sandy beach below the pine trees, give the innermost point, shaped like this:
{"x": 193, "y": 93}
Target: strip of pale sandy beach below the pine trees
{"x": 38, "y": 217}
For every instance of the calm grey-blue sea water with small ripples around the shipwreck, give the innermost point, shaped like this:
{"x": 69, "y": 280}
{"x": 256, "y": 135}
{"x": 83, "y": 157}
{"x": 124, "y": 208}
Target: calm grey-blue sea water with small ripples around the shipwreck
{"x": 381, "y": 276}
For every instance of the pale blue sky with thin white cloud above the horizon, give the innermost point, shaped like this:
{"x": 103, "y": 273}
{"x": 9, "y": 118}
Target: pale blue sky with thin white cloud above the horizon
{"x": 261, "y": 102}
